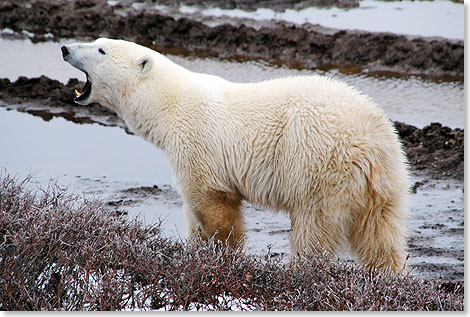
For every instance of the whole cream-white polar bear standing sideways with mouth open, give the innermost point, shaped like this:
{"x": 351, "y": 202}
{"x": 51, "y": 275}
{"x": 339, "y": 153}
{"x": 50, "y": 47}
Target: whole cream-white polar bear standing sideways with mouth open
{"x": 310, "y": 146}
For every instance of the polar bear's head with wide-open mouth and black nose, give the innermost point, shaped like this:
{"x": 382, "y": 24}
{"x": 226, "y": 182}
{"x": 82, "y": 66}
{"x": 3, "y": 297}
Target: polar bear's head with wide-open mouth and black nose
{"x": 113, "y": 68}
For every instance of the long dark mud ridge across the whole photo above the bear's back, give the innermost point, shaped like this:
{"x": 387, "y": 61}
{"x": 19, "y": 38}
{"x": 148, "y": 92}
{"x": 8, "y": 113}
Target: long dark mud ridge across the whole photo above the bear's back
{"x": 301, "y": 46}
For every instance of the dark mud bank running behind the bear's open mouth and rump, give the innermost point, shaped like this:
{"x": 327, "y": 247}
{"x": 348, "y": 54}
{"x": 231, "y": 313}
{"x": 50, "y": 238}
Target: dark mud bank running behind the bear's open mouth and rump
{"x": 435, "y": 150}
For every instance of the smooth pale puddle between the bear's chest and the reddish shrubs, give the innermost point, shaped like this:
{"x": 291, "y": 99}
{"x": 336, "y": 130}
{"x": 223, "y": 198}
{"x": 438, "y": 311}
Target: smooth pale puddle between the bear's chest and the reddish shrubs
{"x": 72, "y": 154}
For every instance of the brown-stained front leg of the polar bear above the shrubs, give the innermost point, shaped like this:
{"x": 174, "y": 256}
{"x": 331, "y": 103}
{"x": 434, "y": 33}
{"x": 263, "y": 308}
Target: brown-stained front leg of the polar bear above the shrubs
{"x": 215, "y": 214}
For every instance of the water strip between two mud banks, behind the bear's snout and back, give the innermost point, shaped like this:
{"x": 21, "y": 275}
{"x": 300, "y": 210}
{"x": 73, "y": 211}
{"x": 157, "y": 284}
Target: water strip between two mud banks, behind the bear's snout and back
{"x": 413, "y": 100}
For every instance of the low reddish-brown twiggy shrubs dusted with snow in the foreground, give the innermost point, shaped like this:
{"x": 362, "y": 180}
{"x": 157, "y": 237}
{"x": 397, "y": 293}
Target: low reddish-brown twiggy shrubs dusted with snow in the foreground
{"x": 63, "y": 252}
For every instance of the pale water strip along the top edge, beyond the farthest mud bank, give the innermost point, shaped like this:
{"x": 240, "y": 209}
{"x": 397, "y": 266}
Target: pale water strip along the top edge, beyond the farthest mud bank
{"x": 421, "y": 18}
